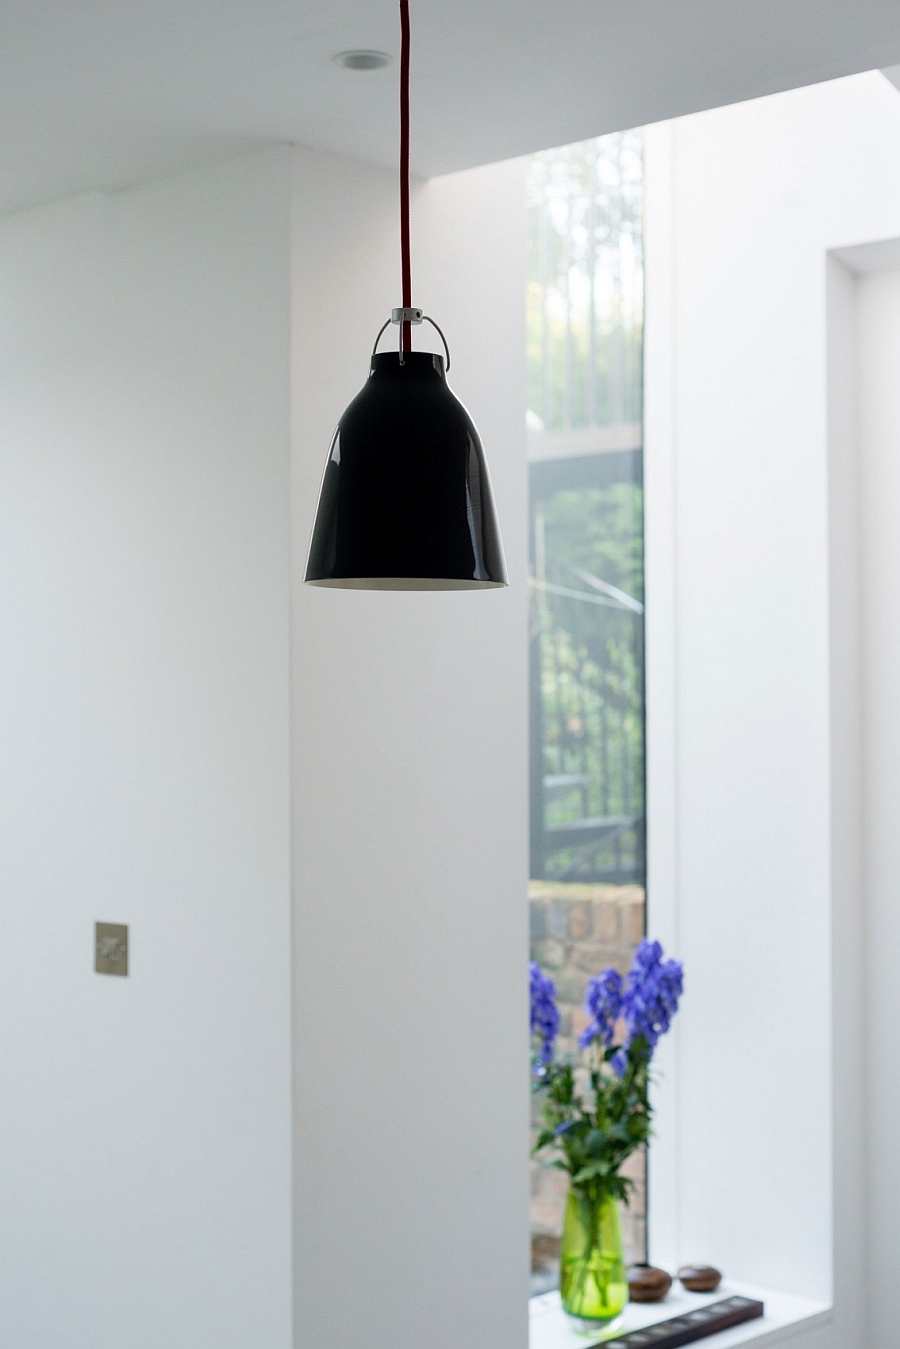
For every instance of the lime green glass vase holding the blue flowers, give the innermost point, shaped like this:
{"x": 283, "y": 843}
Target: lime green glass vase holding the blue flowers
{"x": 593, "y": 1284}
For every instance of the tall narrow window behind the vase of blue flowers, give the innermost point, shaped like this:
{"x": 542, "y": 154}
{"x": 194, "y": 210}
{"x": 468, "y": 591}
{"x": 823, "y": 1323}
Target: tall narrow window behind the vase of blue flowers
{"x": 588, "y": 757}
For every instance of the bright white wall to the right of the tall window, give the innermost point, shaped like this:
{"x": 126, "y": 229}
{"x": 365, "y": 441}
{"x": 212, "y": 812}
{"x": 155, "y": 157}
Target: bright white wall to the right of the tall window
{"x": 754, "y": 682}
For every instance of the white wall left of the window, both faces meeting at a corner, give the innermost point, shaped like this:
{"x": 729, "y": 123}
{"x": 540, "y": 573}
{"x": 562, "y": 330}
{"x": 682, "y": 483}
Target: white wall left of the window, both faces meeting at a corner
{"x": 145, "y": 776}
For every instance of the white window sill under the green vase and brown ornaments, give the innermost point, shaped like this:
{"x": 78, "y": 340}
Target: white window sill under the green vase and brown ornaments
{"x": 786, "y": 1317}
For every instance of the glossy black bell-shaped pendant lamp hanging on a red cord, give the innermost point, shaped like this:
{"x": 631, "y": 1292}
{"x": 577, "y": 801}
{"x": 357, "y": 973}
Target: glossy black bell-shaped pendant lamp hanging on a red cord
{"x": 407, "y": 501}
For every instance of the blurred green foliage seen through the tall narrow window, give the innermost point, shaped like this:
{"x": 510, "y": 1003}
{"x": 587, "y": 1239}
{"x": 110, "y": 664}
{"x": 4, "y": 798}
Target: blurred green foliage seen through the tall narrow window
{"x": 585, "y": 369}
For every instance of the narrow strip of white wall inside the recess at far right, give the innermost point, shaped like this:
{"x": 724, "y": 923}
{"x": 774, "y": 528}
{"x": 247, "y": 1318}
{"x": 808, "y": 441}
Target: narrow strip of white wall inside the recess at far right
{"x": 879, "y": 442}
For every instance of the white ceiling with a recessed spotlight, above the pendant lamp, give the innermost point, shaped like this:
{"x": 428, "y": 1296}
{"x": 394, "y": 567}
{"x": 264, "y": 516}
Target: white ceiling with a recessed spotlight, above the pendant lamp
{"x": 103, "y": 94}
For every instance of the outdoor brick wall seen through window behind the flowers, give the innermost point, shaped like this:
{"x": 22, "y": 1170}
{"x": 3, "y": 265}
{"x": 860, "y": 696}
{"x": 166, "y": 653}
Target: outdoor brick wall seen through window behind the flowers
{"x": 578, "y": 931}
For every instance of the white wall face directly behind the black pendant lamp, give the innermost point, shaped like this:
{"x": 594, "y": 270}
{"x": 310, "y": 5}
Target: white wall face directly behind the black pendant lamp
{"x": 411, "y": 814}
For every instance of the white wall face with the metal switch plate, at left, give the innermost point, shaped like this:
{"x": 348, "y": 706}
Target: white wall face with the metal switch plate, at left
{"x": 145, "y": 1123}
